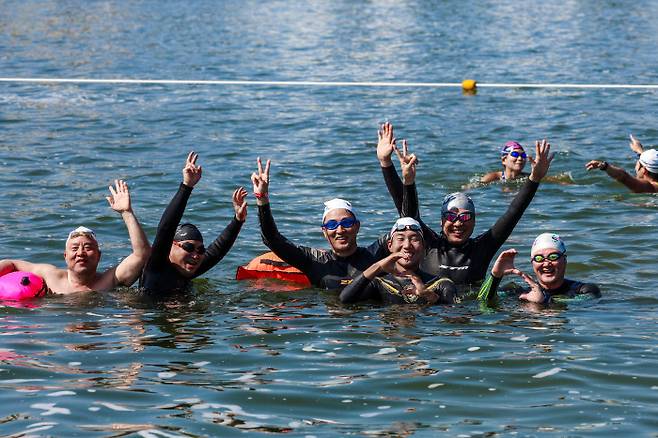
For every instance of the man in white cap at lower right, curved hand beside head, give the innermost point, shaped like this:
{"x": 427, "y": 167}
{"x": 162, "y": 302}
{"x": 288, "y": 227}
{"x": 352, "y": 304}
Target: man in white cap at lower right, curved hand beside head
{"x": 549, "y": 263}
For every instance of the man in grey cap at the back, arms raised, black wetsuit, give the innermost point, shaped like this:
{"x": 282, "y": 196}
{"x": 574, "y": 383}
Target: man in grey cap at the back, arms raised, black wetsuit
{"x": 453, "y": 253}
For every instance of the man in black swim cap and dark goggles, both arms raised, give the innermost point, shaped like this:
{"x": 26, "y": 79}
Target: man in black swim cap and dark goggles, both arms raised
{"x": 178, "y": 254}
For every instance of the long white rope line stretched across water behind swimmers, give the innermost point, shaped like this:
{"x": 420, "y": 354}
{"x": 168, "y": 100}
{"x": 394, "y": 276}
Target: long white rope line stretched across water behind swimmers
{"x": 320, "y": 83}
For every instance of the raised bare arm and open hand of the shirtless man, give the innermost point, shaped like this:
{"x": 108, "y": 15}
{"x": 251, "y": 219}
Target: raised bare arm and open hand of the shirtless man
{"x": 131, "y": 267}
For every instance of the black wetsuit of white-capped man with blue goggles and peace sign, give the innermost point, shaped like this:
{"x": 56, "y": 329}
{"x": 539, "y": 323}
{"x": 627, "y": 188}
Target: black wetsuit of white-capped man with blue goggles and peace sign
{"x": 323, "y": 268}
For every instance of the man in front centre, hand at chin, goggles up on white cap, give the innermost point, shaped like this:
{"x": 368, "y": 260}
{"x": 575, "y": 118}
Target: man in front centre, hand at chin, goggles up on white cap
{"x": 398, "y": 279}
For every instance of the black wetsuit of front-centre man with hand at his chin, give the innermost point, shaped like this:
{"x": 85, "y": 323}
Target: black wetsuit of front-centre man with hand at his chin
{"x": 389, "y": 289}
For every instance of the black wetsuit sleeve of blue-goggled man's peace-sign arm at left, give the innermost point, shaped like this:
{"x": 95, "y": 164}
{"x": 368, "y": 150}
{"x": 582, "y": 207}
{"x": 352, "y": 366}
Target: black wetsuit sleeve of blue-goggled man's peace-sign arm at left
{"x": 292, "y": 254}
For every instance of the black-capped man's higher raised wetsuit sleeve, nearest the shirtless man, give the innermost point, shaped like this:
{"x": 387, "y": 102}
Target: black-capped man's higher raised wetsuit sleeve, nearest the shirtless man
{"x": 171, "y": 217}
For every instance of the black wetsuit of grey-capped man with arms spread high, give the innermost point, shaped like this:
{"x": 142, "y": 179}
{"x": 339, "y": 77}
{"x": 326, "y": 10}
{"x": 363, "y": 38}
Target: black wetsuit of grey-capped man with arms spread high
{"x": 467, "y": 264}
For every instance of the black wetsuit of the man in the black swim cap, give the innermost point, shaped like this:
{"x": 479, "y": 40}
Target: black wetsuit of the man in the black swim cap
{"x": 160, "y": 277}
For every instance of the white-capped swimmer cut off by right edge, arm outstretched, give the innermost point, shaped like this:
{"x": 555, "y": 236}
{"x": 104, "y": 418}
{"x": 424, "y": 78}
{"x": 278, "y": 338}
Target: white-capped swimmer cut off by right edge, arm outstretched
{"x": 646, "y": 169}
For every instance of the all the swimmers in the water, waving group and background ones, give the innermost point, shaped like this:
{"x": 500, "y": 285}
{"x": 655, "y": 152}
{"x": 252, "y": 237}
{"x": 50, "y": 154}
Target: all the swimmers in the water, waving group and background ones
{"x": 412, "y": 263}
